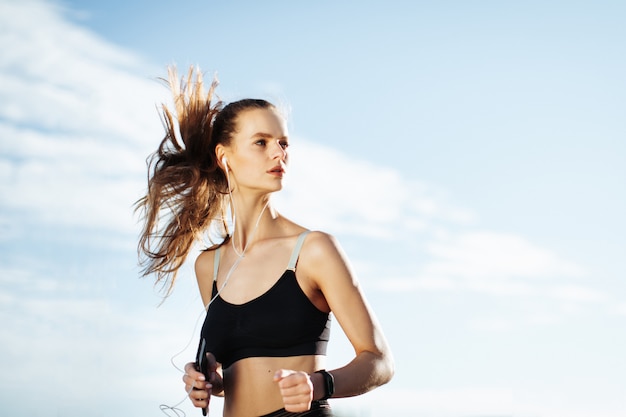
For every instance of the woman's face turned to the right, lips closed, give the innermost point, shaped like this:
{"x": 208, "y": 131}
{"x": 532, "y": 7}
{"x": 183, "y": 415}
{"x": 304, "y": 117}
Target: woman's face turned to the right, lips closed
{"x": 257, "y": 155}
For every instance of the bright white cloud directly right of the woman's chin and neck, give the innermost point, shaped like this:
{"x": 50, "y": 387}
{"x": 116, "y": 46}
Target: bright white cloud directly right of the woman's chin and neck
{"x": 347, "y": 195}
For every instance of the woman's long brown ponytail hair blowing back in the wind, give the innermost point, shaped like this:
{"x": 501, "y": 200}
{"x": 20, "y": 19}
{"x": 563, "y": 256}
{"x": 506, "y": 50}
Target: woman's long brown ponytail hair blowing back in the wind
{"x": 187, "y": 188}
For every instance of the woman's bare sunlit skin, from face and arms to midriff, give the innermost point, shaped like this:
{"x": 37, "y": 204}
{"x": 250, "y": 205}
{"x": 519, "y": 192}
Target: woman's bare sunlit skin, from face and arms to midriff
{"x": 256, "y": 160}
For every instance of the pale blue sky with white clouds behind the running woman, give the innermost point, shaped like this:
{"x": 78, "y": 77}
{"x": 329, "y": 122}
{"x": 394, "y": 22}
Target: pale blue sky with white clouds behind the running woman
{"x": 469, "y": 156}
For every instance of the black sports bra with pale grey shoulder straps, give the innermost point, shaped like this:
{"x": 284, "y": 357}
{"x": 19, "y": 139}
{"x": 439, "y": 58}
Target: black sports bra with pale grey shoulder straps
{"x": 281, "y": 322}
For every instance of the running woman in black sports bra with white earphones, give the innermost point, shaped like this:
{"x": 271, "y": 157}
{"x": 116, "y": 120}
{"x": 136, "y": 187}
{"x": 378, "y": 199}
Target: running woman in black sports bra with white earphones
{"x": 269, "y": 284}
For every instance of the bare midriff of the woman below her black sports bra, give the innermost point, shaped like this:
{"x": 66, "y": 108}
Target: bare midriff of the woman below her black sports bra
{"x": 249, "y": 387}
